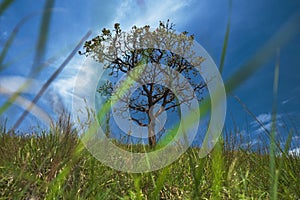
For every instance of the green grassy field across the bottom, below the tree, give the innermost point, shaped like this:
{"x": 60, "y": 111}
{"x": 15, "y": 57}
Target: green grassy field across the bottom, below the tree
{"x": 54, "y": 165}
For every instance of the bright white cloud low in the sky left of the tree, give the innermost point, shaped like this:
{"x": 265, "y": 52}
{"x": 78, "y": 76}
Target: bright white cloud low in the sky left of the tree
{"x": 77, "y": 80}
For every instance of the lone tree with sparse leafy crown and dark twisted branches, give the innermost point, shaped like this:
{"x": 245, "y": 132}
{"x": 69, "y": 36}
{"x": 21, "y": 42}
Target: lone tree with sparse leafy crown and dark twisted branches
{"x": 164, "y": 55}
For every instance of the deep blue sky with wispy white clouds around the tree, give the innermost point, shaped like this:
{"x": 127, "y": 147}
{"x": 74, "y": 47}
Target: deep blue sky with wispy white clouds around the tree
{"x": 253, "y": 23}
